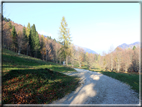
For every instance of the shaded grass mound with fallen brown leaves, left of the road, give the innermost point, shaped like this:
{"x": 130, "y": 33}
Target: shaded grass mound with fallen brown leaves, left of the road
{"x": 35, "y": 86}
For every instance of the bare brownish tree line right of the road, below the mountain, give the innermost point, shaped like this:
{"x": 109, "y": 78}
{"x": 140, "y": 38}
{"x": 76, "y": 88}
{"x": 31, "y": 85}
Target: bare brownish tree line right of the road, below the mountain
{"x": 121, "y": 60}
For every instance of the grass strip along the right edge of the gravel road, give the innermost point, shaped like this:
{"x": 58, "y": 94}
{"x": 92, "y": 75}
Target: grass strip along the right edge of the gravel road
{"x": 131, "y": 79}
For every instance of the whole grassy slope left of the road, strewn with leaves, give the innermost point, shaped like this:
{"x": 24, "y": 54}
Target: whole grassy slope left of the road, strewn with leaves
{"x": 27, "y": 81}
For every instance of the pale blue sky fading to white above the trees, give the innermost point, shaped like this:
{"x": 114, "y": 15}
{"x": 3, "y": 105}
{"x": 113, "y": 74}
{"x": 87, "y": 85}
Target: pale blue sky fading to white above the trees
{"x": 97, "y": 26}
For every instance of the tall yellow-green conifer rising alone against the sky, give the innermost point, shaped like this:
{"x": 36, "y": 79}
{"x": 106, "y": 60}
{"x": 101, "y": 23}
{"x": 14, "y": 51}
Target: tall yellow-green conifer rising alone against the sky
{"x": 65, "y": 40}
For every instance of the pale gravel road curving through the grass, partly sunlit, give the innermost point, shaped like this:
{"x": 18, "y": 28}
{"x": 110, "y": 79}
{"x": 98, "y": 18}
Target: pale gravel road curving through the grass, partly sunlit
{"x": 97, "y": 88}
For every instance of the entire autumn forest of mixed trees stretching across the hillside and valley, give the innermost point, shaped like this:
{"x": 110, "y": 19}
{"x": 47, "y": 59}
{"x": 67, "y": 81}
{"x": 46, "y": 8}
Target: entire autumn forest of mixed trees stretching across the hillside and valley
{"x": 26, "y": 40}
